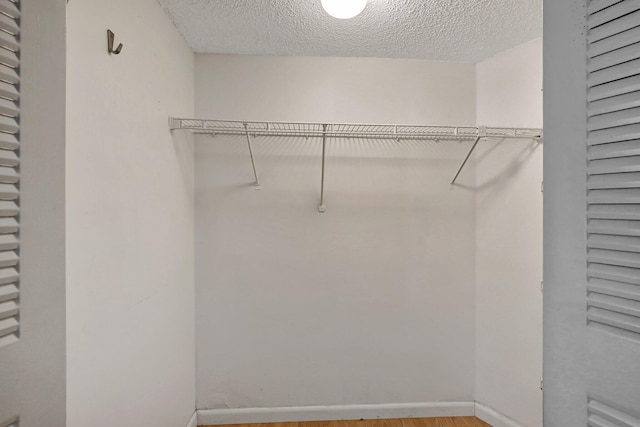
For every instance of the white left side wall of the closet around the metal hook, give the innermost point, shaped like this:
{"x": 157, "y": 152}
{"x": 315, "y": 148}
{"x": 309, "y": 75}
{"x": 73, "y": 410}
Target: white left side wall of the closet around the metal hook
{"x": 130, "y": 219}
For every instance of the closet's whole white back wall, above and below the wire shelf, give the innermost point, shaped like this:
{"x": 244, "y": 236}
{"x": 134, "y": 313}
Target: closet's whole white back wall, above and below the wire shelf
{"x": 372, "y": 301}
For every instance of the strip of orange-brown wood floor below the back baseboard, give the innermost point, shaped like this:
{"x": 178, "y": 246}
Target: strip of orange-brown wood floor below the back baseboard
{"x": 406, "y": 422}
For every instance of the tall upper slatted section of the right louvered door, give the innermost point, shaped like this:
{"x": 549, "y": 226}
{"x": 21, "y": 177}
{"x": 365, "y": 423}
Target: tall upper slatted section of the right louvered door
{"x": 614, "y": 168}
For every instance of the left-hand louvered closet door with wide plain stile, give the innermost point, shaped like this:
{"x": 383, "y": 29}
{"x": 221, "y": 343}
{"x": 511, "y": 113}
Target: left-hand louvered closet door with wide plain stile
{"x": 32, "y": 210}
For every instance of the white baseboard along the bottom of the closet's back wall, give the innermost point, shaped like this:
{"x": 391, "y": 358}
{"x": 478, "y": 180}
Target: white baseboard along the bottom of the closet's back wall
{"x": 337, "y": 412}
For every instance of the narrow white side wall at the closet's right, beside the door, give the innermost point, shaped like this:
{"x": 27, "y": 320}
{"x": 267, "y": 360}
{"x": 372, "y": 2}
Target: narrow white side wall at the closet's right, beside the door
{"x": 509, "y": 238}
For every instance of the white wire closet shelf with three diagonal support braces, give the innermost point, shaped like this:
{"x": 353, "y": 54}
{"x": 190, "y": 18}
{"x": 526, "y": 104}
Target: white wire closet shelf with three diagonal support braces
{"x": 252, "y": 129}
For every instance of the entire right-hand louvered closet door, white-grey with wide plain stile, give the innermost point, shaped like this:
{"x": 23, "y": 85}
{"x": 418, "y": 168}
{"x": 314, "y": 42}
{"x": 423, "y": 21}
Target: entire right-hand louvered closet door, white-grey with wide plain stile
{"x": 592, "y": 213}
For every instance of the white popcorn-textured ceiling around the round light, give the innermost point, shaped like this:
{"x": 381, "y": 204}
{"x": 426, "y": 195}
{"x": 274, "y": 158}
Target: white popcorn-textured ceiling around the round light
{"x": 442, "y": 30}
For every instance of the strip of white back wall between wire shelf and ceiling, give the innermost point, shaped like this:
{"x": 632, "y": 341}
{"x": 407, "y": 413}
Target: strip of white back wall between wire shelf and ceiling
{"x": 342, "y": 90}
